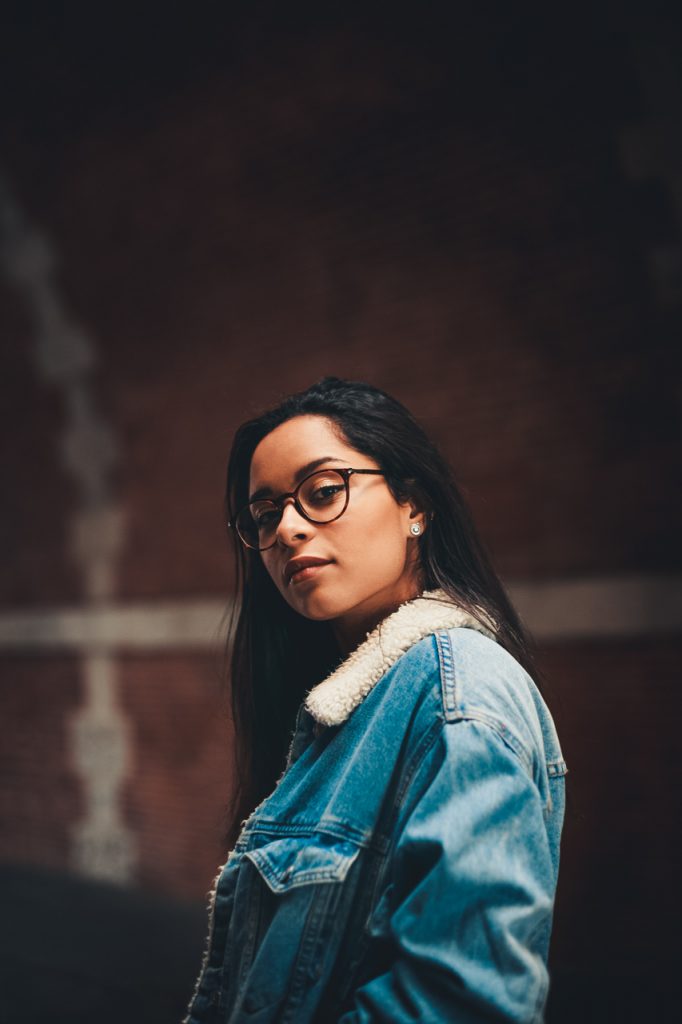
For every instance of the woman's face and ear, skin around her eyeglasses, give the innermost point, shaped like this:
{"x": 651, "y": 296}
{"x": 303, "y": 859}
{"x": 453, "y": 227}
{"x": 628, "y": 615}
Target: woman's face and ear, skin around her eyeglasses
{"x": 371, "y": 563}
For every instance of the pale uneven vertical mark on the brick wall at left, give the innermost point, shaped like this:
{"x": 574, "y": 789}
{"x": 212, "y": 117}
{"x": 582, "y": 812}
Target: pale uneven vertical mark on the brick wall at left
{"x": 65, "y": 356}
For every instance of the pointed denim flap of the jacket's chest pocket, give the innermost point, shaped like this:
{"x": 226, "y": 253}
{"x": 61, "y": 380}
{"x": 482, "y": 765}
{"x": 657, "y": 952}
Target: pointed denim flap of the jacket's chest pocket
{"x": 297, "y": 861}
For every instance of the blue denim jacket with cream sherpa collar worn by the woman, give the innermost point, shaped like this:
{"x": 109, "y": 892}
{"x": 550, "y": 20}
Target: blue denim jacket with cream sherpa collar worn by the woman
{"x": 405, "y": 867}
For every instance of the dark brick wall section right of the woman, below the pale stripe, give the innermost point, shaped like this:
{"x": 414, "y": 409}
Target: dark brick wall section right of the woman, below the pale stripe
{"x": 612, "y": 703}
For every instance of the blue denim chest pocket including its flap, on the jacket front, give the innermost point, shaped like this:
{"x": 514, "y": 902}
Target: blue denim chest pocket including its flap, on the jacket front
{"x": 289, "y": 913}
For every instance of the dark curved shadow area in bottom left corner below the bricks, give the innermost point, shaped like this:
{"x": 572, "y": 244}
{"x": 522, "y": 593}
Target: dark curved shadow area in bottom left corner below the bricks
{"x": 74, "y": 952}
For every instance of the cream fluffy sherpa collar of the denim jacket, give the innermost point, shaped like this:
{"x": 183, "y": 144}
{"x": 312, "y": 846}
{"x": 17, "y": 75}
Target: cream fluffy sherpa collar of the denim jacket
{"x": 331, "y": 702}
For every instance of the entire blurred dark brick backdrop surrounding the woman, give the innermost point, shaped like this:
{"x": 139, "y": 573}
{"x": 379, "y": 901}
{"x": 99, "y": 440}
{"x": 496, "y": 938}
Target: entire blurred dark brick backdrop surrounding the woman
{"x": 478, "y": 208}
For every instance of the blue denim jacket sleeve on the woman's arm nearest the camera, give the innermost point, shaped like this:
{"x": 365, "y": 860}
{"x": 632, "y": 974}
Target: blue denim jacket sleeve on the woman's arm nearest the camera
{"x": 471, "y": 906}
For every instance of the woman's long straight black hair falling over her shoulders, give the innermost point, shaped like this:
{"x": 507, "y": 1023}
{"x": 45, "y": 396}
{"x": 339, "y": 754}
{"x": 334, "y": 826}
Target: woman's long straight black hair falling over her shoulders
{"x": 278, "y": 655}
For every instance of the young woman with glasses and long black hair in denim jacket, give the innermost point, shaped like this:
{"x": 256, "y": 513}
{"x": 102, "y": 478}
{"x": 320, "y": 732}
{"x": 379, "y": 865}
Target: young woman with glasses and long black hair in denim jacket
{"x": 399, "y": 771}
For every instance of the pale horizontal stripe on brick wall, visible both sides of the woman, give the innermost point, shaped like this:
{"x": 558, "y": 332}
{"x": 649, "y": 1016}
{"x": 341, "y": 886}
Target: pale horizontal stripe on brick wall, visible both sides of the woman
{"x": 622, "y": 607}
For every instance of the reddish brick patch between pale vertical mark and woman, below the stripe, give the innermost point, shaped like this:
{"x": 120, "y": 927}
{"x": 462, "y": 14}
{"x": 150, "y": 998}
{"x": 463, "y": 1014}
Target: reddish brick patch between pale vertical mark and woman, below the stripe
{"x": 177, "y": 796}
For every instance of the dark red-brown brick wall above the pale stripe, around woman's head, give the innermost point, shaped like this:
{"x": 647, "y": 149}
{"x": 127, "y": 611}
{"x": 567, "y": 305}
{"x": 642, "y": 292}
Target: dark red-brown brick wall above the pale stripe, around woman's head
{"x": 299, "y": 215}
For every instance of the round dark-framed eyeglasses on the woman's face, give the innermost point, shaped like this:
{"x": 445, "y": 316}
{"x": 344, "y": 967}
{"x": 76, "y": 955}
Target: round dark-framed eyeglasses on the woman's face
{"x": 320, "y": 498}
